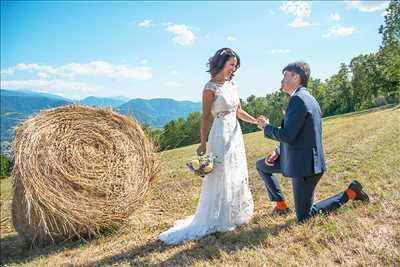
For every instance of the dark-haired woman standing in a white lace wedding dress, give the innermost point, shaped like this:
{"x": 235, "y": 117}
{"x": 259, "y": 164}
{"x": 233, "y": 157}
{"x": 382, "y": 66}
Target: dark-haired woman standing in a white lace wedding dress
{"x": 225, "y": 199}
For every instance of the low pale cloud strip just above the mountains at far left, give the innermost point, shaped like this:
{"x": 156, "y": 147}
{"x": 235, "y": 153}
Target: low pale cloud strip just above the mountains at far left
{"x": 55, "y": 86}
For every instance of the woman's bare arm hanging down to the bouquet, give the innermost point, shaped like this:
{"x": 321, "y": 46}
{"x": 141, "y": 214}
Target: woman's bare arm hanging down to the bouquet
{"x": 208, "y": 98}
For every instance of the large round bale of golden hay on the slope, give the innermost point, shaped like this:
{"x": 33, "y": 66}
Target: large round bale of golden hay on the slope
{"x": 78, "y": 170}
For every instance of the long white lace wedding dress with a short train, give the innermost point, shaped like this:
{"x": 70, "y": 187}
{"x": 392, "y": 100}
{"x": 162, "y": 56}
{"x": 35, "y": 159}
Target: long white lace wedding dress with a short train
{"x": 225, "y": 199}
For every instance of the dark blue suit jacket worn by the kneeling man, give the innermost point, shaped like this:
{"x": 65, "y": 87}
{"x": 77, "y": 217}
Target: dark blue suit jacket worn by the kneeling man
{"x": 300, "y": 136}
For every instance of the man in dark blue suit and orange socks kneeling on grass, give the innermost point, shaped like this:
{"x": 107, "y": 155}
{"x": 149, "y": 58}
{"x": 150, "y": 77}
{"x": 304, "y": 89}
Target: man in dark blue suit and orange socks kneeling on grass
{"x": 300, "y": 153}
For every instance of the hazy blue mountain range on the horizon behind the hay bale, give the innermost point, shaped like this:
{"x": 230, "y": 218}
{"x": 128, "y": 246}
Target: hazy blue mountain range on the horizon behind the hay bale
{"x": 16, "y": 106}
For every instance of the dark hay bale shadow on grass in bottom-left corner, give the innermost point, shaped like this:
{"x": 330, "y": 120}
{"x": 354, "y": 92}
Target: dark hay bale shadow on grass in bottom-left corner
{"x": 14, "y": 250}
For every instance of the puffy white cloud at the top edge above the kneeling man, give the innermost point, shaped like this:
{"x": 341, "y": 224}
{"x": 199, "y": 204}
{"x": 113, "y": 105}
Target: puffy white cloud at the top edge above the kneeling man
{"x": 300, "y": 10}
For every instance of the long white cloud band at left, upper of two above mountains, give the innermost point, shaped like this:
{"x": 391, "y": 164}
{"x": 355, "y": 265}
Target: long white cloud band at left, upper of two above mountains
{"x": 94, "y": 68}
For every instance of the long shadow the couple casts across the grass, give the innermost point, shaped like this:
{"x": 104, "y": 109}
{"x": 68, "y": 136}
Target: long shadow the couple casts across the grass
{"x": 207, "y": 248}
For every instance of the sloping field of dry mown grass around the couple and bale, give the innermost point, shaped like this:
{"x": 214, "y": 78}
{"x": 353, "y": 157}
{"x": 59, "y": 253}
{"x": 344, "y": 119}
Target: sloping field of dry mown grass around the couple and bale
{"x": 364, "y": 146}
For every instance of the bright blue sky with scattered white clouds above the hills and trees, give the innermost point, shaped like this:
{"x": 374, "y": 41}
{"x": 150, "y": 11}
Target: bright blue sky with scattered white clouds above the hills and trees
{"x": 160, "y": 49}
